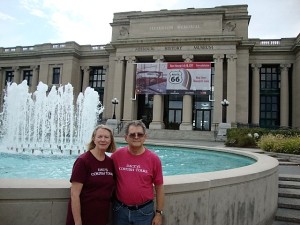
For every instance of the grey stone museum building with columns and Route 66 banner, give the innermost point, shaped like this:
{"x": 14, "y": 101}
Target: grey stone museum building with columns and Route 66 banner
{"x": 259, "y": 78}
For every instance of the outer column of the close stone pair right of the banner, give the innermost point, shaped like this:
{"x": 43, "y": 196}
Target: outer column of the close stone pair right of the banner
{"x": 231, "y": 88}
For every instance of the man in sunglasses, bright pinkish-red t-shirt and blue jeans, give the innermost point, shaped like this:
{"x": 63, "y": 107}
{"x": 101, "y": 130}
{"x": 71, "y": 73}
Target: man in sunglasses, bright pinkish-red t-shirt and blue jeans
{"x": 137, "y": 170}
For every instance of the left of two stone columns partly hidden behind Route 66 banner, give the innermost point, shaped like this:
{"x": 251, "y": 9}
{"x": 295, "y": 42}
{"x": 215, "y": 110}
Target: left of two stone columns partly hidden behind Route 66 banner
{"x": 158, "y": 105}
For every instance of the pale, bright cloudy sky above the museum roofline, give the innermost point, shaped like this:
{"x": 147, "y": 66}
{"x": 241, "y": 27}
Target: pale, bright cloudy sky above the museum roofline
{"x": 87, "y": 22}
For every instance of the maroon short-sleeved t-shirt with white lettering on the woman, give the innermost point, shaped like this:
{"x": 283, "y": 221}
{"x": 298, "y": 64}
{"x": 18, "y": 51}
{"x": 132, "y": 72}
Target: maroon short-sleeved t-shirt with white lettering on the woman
{"x": 98, "y": 182}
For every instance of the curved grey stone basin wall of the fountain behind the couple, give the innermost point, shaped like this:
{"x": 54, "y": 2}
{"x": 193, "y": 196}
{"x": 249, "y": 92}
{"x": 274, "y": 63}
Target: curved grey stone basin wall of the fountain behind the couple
{"x": 241, "y": 196}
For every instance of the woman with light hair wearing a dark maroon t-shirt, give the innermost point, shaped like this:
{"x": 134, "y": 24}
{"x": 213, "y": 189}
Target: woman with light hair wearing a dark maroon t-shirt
{"x": 93, "y": 181}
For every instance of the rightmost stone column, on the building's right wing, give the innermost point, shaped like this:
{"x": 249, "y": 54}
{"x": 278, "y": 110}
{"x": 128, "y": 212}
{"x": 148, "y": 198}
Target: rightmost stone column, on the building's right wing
{"x": 284, "y": 95}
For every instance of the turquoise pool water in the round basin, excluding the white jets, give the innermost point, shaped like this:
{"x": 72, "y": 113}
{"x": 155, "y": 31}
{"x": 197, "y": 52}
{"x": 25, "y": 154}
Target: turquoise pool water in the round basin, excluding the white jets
{"x": 175, "y": 161}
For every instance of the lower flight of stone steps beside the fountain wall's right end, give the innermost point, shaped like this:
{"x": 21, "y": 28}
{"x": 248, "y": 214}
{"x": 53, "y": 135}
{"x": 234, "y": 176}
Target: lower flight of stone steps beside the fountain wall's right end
{"x": 288, "y": 212}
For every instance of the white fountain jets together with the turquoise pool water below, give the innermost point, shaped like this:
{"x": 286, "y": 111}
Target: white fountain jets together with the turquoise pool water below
{"x": 38, "y": 130}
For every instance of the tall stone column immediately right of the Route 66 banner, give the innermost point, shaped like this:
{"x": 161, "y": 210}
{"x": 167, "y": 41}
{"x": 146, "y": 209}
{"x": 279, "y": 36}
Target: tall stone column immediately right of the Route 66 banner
{"x": 218, "y": 88}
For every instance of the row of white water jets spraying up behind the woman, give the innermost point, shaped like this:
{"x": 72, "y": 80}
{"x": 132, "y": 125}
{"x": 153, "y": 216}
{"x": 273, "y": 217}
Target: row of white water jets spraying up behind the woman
{"x": 48, "y": 122}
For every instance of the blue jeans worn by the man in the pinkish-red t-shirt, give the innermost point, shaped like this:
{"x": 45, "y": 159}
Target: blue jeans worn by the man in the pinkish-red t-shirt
{"x": 123, "y": 216}
